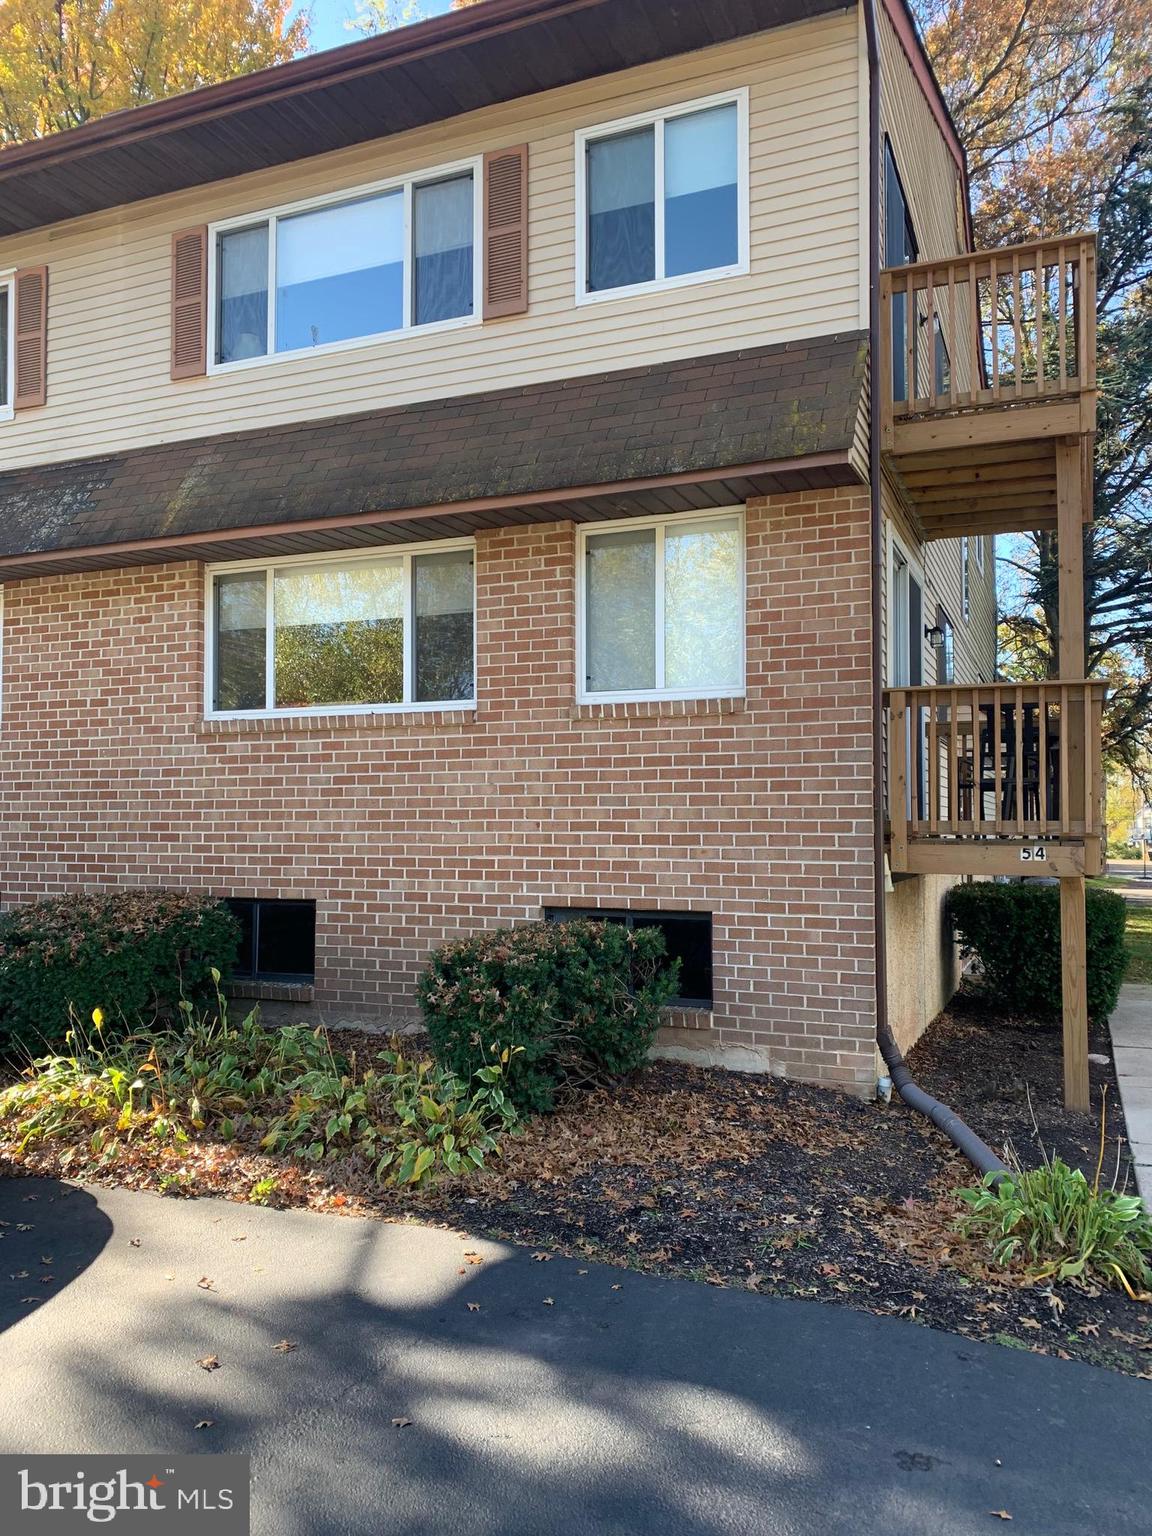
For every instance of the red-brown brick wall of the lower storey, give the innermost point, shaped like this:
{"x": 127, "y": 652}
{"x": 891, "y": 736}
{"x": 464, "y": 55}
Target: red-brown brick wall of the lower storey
{"x": 408, "y": 830}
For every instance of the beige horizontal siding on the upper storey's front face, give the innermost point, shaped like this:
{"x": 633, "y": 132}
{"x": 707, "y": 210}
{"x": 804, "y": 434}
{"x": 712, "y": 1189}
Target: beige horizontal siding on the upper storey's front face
{"x": 110, "y": 385}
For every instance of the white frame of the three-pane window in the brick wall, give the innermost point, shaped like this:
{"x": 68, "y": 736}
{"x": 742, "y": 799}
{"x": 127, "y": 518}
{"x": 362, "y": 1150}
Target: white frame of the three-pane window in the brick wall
{"x": 408, "y": 706}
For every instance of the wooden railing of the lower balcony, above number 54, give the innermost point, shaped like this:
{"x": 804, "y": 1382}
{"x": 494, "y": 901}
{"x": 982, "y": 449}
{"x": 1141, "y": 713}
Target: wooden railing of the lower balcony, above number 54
{"x": 995, "y": 761}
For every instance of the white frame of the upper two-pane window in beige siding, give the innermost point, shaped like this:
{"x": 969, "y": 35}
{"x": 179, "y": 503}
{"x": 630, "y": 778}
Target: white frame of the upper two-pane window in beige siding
{"x": 658, "y": 119}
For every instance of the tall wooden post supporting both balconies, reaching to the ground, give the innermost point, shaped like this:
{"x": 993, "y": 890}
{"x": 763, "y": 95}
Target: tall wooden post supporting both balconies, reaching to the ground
{"x": 1073, "y": 667}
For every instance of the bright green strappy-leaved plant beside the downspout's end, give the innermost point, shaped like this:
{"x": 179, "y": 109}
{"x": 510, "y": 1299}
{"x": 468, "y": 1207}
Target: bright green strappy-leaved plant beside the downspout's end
{"x": 1050, "y": 1223}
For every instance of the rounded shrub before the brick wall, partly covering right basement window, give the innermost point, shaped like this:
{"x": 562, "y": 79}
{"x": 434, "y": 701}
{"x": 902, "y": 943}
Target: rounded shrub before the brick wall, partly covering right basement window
{"x": 572, "y": 1004}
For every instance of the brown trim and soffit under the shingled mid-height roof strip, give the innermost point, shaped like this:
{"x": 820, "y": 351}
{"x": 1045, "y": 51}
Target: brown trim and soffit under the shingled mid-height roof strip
{"x": 810, "y": 472}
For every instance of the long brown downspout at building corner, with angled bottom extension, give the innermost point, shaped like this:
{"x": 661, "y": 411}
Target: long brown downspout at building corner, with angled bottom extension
{"x": 947, "y": 1121}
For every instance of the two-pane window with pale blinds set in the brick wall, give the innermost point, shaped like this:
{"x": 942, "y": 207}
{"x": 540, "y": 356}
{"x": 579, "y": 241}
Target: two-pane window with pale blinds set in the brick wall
{"x": 661, "y": 609}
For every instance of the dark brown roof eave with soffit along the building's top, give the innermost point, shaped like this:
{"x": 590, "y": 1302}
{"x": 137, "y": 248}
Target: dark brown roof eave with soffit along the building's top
{"x": 432, "y": 71}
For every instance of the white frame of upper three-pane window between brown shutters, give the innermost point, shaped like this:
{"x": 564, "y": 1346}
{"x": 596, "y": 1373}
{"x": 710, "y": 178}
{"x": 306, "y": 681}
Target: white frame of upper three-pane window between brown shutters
{"x": 270, "y": 217}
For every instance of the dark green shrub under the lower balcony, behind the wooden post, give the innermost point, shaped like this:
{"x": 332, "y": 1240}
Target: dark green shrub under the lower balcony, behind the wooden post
{"x": 1015, "y": 930}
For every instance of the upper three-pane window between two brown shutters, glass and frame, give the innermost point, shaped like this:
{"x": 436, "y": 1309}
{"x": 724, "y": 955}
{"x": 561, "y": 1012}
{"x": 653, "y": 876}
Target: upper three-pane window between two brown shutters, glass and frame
{"x": 345, "y": 271}
